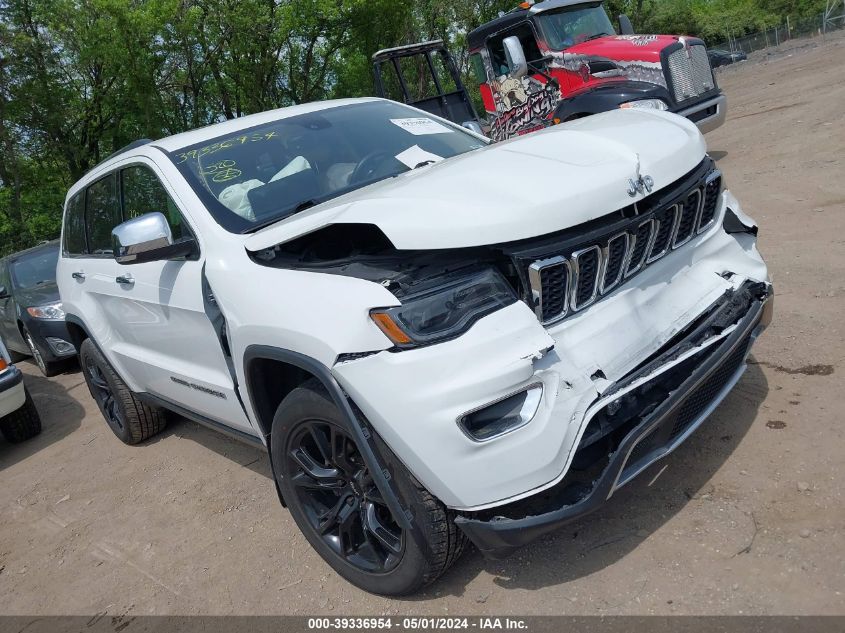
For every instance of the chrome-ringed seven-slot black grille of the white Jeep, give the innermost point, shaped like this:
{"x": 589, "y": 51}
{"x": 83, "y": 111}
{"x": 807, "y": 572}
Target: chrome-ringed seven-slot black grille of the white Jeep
{"x": 566, "y": 282}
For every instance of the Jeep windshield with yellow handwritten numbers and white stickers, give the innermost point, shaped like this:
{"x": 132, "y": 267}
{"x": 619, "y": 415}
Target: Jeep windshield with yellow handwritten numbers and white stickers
{"x": 263, "y": 174}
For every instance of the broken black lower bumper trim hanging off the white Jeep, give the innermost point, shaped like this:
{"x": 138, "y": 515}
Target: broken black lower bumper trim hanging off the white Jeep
{"x": 657, "y": 435}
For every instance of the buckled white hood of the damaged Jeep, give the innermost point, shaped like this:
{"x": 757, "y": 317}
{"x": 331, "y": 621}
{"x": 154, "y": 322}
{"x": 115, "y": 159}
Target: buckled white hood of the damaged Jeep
{"x": 526, "y": 187}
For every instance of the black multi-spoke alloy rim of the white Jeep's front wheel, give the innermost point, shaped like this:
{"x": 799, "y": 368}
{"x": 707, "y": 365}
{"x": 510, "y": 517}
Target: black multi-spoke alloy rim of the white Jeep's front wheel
{"x": 339, "y": 498}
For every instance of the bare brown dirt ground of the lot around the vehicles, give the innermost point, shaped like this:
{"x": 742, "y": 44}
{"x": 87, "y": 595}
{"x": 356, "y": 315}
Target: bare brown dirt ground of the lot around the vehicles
{"x": 746, "y": 518}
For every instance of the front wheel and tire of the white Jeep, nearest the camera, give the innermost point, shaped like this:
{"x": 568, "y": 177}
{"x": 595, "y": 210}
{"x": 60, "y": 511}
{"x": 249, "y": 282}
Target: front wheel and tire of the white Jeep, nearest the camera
{"x": 338, "y": 508}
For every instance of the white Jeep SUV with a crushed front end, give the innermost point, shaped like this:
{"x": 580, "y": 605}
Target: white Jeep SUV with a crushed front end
{"x": 434, "y": 337}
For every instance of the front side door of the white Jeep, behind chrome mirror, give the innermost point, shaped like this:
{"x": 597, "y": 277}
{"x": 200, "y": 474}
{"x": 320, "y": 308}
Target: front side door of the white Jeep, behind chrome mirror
{"x": 158, "y": 314}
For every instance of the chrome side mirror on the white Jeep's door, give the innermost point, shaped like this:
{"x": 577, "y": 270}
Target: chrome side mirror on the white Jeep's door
{"x": 148, "y": 238}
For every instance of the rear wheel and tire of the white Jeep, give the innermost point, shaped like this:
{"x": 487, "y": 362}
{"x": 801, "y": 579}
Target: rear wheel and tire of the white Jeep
{"x": 131, "y": 420}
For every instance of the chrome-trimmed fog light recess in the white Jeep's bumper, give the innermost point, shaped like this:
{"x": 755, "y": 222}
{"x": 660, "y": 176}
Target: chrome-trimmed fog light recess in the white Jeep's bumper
{"x": 503, "y": 416}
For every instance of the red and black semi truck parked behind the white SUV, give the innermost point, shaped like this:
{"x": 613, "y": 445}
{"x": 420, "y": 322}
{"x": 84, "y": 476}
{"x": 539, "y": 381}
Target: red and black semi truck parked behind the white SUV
{"x": 554, "y": 61}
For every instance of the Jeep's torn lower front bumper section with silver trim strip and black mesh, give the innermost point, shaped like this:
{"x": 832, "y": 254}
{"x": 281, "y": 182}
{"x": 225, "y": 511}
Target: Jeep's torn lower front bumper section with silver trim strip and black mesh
{"x": 641, "y": 419}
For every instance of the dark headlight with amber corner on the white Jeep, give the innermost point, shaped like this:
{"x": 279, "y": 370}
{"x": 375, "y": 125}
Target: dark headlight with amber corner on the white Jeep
{"x": 444, "y": 311}
